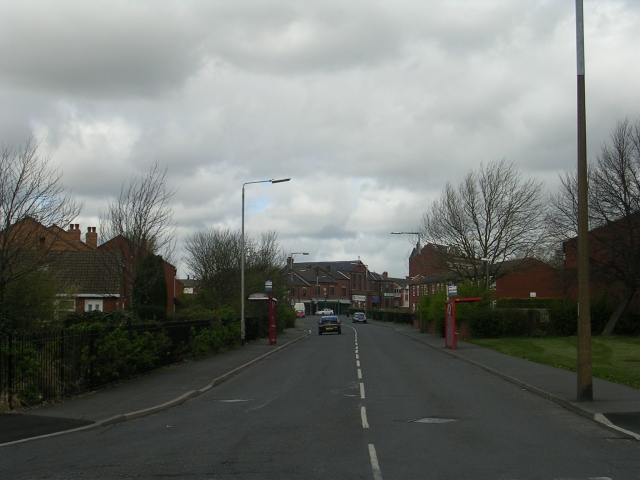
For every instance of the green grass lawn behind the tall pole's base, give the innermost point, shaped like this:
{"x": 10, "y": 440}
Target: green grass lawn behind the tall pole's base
{"x": 613, "y": 358}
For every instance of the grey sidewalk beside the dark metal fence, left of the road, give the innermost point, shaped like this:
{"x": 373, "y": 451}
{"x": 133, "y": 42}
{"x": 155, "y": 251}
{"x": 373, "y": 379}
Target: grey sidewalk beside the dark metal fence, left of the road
{"x": 141, "y": 395}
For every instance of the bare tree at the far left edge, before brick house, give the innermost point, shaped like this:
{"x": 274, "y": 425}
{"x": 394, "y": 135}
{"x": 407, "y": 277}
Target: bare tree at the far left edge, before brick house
{"x": 31, "y": 196}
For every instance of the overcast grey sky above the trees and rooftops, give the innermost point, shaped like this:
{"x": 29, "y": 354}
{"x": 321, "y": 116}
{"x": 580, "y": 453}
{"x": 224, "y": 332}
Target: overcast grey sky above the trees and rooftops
{"x": 369, "y": 106}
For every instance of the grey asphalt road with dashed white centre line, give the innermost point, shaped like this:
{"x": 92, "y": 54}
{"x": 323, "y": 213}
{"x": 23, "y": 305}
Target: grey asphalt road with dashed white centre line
{"x": 366, "y": 404}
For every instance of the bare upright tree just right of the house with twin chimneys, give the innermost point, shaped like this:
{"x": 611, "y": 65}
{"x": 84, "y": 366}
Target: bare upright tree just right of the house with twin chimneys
{"x": 140, "y": 222}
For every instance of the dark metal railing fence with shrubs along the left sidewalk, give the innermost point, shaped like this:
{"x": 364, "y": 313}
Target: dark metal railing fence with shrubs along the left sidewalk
{"x": 49, "y": 365}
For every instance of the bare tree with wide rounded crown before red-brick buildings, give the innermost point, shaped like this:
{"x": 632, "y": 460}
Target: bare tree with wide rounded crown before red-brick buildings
{"x": 492, "y": 216}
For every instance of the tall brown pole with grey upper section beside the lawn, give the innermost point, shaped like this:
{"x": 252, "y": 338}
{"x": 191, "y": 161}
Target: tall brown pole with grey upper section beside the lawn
{"x": 585, "y": 379}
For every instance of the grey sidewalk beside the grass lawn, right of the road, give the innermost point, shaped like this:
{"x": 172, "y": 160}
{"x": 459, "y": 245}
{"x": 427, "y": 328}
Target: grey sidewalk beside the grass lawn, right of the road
{"x": 615, "y": 406}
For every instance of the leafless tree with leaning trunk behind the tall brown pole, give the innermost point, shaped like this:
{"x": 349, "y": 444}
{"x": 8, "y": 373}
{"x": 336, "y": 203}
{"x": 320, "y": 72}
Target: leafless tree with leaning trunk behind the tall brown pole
{"x": 614, "y": 216}
